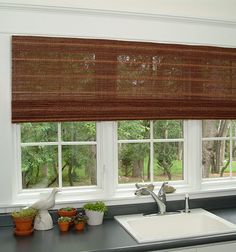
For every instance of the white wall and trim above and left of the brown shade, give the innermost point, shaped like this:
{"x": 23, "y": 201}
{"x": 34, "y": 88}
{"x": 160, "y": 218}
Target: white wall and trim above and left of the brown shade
{"x": 93, "y": 20}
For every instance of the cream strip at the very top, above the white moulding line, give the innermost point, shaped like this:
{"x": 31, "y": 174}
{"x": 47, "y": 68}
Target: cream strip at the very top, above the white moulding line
{"x": 209, "y": 9}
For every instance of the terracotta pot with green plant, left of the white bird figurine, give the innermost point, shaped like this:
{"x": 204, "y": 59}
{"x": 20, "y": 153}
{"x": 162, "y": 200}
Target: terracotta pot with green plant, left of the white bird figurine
{"x": 23, "y": 220}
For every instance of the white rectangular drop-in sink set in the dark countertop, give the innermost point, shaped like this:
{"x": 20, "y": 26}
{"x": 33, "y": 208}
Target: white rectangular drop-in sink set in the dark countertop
{"x": 198, "y": 222}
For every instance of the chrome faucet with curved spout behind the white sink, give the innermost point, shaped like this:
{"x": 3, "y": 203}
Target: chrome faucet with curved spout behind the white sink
{"x": 160, "y": 198}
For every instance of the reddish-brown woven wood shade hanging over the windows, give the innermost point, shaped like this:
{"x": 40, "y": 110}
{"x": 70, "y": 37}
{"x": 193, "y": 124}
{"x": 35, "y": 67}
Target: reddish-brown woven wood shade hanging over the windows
{"x": 73, "y": 79}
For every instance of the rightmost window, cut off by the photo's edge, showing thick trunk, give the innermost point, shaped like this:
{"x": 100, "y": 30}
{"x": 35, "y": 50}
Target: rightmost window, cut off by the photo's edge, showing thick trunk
{"x": 218, "y": 149}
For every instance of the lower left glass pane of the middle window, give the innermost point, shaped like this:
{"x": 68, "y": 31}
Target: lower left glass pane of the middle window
{"x": 134, "y": 163}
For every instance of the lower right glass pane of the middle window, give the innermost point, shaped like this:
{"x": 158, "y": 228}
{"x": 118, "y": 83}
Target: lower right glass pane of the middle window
{"x": 168, "y": 161}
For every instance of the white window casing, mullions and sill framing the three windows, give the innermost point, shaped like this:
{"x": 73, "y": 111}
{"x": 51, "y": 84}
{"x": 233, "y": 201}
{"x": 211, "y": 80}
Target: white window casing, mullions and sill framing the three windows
{"x": 108, "y": 187}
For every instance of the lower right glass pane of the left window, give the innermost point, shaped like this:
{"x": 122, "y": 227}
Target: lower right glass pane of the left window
{"x": 79, "y": 165}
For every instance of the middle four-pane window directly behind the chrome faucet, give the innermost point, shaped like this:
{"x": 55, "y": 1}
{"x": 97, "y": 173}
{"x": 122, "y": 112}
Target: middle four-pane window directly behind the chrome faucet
{"x": 150, "y": 151}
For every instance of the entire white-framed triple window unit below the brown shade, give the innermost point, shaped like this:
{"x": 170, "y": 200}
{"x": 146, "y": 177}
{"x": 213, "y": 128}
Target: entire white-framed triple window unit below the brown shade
{"x": 105, "y": 159}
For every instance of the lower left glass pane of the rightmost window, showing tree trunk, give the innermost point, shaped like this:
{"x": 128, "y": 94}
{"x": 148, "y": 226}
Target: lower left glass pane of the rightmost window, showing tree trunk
{"x": 215, "y": 159}
